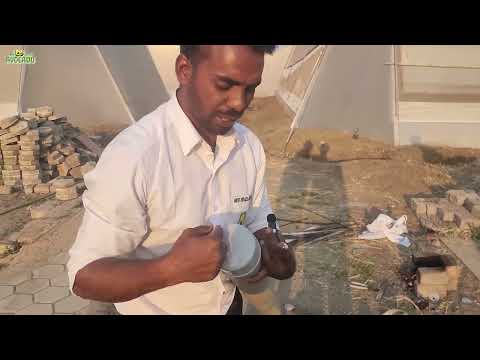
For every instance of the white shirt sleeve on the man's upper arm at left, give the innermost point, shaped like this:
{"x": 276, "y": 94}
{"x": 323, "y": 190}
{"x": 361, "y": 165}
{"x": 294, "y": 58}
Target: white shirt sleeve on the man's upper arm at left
{"x": 114, "y": 222}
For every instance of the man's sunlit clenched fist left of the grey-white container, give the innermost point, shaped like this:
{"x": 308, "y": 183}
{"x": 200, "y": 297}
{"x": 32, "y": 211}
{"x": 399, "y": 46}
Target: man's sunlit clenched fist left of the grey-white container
{"x": 198, "y": 254}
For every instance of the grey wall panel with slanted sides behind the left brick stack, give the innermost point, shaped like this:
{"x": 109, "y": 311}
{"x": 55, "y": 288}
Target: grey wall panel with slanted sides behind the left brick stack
{"x": 74, "y": 80}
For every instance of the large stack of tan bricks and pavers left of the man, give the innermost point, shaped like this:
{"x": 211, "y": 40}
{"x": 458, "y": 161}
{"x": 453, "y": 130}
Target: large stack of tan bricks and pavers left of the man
{"x": 38, "y": 156}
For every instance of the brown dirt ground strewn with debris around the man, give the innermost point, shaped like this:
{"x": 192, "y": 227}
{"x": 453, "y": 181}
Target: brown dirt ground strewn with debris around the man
{"x": 324, "y": 174}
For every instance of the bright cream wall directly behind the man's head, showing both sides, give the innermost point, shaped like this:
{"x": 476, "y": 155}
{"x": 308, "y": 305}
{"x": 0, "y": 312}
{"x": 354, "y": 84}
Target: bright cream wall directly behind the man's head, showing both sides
{"x": 164, "y": 57}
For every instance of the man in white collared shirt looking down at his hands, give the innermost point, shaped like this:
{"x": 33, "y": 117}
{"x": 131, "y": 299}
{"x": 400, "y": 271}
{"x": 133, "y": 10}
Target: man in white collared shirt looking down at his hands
{"x": 147, "y": 242}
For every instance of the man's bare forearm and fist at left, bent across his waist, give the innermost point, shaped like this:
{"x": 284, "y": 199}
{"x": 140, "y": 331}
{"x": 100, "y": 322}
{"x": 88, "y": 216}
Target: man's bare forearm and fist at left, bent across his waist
{"x": 195, "y": 257}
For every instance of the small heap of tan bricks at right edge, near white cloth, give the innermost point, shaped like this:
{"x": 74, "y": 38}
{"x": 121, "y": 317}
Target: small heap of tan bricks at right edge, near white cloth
{"x": 460, "y": 207}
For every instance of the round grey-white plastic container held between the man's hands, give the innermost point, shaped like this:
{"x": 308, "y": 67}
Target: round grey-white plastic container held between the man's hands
{"x": 243, "y": 258}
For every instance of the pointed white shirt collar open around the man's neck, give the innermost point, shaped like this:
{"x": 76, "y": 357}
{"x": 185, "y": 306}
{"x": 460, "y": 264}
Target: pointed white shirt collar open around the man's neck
{"x": 189, "y": 136}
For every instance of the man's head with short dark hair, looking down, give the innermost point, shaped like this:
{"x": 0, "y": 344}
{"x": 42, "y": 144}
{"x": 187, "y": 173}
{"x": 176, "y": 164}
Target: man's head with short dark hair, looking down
{"x": 218, "y": 82}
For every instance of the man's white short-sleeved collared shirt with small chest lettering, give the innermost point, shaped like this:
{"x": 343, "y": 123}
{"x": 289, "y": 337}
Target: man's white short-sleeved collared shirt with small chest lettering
{"x": 157, "y": 178}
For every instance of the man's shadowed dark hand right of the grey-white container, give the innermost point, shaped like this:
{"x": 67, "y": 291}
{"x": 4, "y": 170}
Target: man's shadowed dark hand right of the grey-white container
{"x": 278, "y": 261}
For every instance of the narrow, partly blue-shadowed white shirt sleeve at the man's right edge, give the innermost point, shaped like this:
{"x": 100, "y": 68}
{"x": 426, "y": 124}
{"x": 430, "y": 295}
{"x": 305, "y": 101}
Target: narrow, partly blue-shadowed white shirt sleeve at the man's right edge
{"x": 261, "y": 208}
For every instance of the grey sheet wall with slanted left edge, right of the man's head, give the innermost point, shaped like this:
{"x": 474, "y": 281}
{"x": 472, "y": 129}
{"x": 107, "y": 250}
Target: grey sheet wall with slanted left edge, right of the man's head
{"x": 353, "y": 89}
